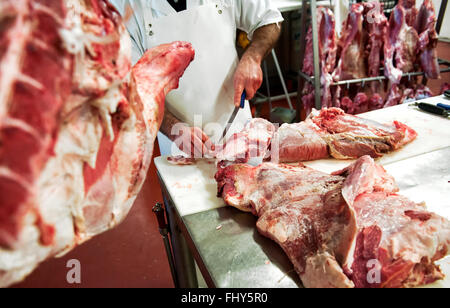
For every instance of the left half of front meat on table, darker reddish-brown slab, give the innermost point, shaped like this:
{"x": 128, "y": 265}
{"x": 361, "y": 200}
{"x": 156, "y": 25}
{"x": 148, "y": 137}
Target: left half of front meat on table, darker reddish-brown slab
{"x": 299, "y": 208}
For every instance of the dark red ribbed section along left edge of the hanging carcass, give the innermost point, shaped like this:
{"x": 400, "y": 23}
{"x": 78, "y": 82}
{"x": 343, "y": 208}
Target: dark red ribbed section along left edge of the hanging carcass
{"x": 30, "y": 102}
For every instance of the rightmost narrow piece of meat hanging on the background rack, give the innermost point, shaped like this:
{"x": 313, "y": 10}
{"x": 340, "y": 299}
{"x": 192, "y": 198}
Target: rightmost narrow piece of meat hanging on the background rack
{"x": 425, "y": 25}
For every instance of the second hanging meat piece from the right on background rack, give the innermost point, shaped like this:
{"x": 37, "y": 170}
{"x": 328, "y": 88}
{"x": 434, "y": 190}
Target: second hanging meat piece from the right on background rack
{"x": 400, "y": 46}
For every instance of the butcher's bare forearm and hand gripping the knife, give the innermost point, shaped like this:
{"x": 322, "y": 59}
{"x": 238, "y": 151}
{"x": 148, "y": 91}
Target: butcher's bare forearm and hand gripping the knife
{"x": 248, "y": 75}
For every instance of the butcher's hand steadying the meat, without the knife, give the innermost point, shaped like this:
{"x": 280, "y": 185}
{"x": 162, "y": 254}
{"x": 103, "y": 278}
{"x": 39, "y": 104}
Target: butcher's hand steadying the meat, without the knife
{"x": 193, "y": 141}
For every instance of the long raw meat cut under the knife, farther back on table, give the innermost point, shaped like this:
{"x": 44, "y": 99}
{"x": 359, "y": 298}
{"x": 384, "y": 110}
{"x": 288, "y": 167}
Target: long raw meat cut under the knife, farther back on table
{"x": 326, "y": 132}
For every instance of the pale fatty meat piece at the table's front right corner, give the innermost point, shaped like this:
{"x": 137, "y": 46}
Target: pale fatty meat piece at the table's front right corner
{"x": 399, "y": 236}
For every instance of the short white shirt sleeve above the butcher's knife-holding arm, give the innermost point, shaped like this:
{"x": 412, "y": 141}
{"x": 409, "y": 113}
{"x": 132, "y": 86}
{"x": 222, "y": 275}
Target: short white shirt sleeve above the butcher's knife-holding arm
{"x": 253, "y": 14}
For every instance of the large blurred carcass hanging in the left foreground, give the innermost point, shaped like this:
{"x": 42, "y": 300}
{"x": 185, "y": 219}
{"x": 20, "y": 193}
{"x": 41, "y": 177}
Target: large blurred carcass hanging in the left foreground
{"x": 77, "y": 125}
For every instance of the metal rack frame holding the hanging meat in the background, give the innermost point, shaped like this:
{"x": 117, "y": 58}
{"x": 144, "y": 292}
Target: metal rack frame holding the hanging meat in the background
{"x": 310, "y": 6}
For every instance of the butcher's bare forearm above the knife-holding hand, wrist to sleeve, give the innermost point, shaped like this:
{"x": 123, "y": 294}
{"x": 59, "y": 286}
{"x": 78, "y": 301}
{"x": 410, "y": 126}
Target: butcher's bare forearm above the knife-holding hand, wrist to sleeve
{"x": 264, "y": 40}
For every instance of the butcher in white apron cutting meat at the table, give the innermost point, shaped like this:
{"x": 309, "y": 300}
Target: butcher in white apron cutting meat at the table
{"x": 198, "y": 111}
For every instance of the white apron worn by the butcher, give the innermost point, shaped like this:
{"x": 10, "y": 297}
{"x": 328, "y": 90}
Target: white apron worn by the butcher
{"x": 206, "y": 93}
